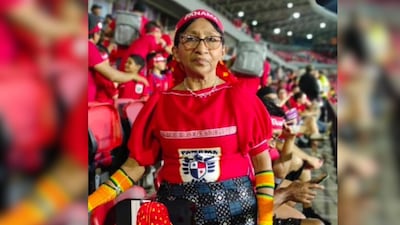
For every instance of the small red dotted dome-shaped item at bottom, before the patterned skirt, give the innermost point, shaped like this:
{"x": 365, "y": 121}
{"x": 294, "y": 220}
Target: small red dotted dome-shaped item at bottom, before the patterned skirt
{"x": 153, "y": 213}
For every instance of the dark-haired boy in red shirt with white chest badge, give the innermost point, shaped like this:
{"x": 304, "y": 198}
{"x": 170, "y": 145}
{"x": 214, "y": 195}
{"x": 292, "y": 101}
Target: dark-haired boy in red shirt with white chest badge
{"x": 134, "y": 89}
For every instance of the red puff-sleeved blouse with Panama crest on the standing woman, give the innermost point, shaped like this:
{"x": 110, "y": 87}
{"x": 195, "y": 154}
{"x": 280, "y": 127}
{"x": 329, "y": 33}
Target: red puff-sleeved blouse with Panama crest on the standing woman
{"x": 207, "y": 139}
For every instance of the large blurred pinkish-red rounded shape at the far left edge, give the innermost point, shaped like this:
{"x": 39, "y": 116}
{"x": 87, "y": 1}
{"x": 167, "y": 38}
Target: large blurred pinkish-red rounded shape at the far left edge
{"x": 28, "y": 112}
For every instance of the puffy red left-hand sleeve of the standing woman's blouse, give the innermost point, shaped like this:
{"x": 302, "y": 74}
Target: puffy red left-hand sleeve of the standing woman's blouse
{"x": 143, "y": 145}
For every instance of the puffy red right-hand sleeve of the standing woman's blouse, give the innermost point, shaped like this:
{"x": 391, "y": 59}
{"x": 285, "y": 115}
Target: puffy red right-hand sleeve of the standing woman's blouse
{"x": 253, "y": 121}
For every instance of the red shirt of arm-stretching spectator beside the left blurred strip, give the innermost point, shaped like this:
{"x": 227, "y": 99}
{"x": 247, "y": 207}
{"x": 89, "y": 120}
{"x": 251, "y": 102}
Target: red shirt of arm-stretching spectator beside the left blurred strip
{"x": 94, "y": 59}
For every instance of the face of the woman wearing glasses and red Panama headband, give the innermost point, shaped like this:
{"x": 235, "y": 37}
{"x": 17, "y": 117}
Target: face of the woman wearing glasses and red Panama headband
{"x": 199, "y": 61}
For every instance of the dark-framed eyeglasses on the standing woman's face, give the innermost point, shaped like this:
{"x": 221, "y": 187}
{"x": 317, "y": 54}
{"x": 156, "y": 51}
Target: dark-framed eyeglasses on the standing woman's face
{"x": 192, "y": 42}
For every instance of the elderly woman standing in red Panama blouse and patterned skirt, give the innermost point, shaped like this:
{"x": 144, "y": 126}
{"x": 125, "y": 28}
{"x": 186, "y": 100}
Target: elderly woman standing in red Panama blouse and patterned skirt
{"x": 211, "y": 134}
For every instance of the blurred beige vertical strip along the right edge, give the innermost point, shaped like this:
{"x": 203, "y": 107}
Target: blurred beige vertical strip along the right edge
{"x": 368, "y": 112}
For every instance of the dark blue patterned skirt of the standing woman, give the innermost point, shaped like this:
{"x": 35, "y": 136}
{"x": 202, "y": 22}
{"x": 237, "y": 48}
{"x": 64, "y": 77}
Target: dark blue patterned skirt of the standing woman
{"x": 216, "y": 203}
